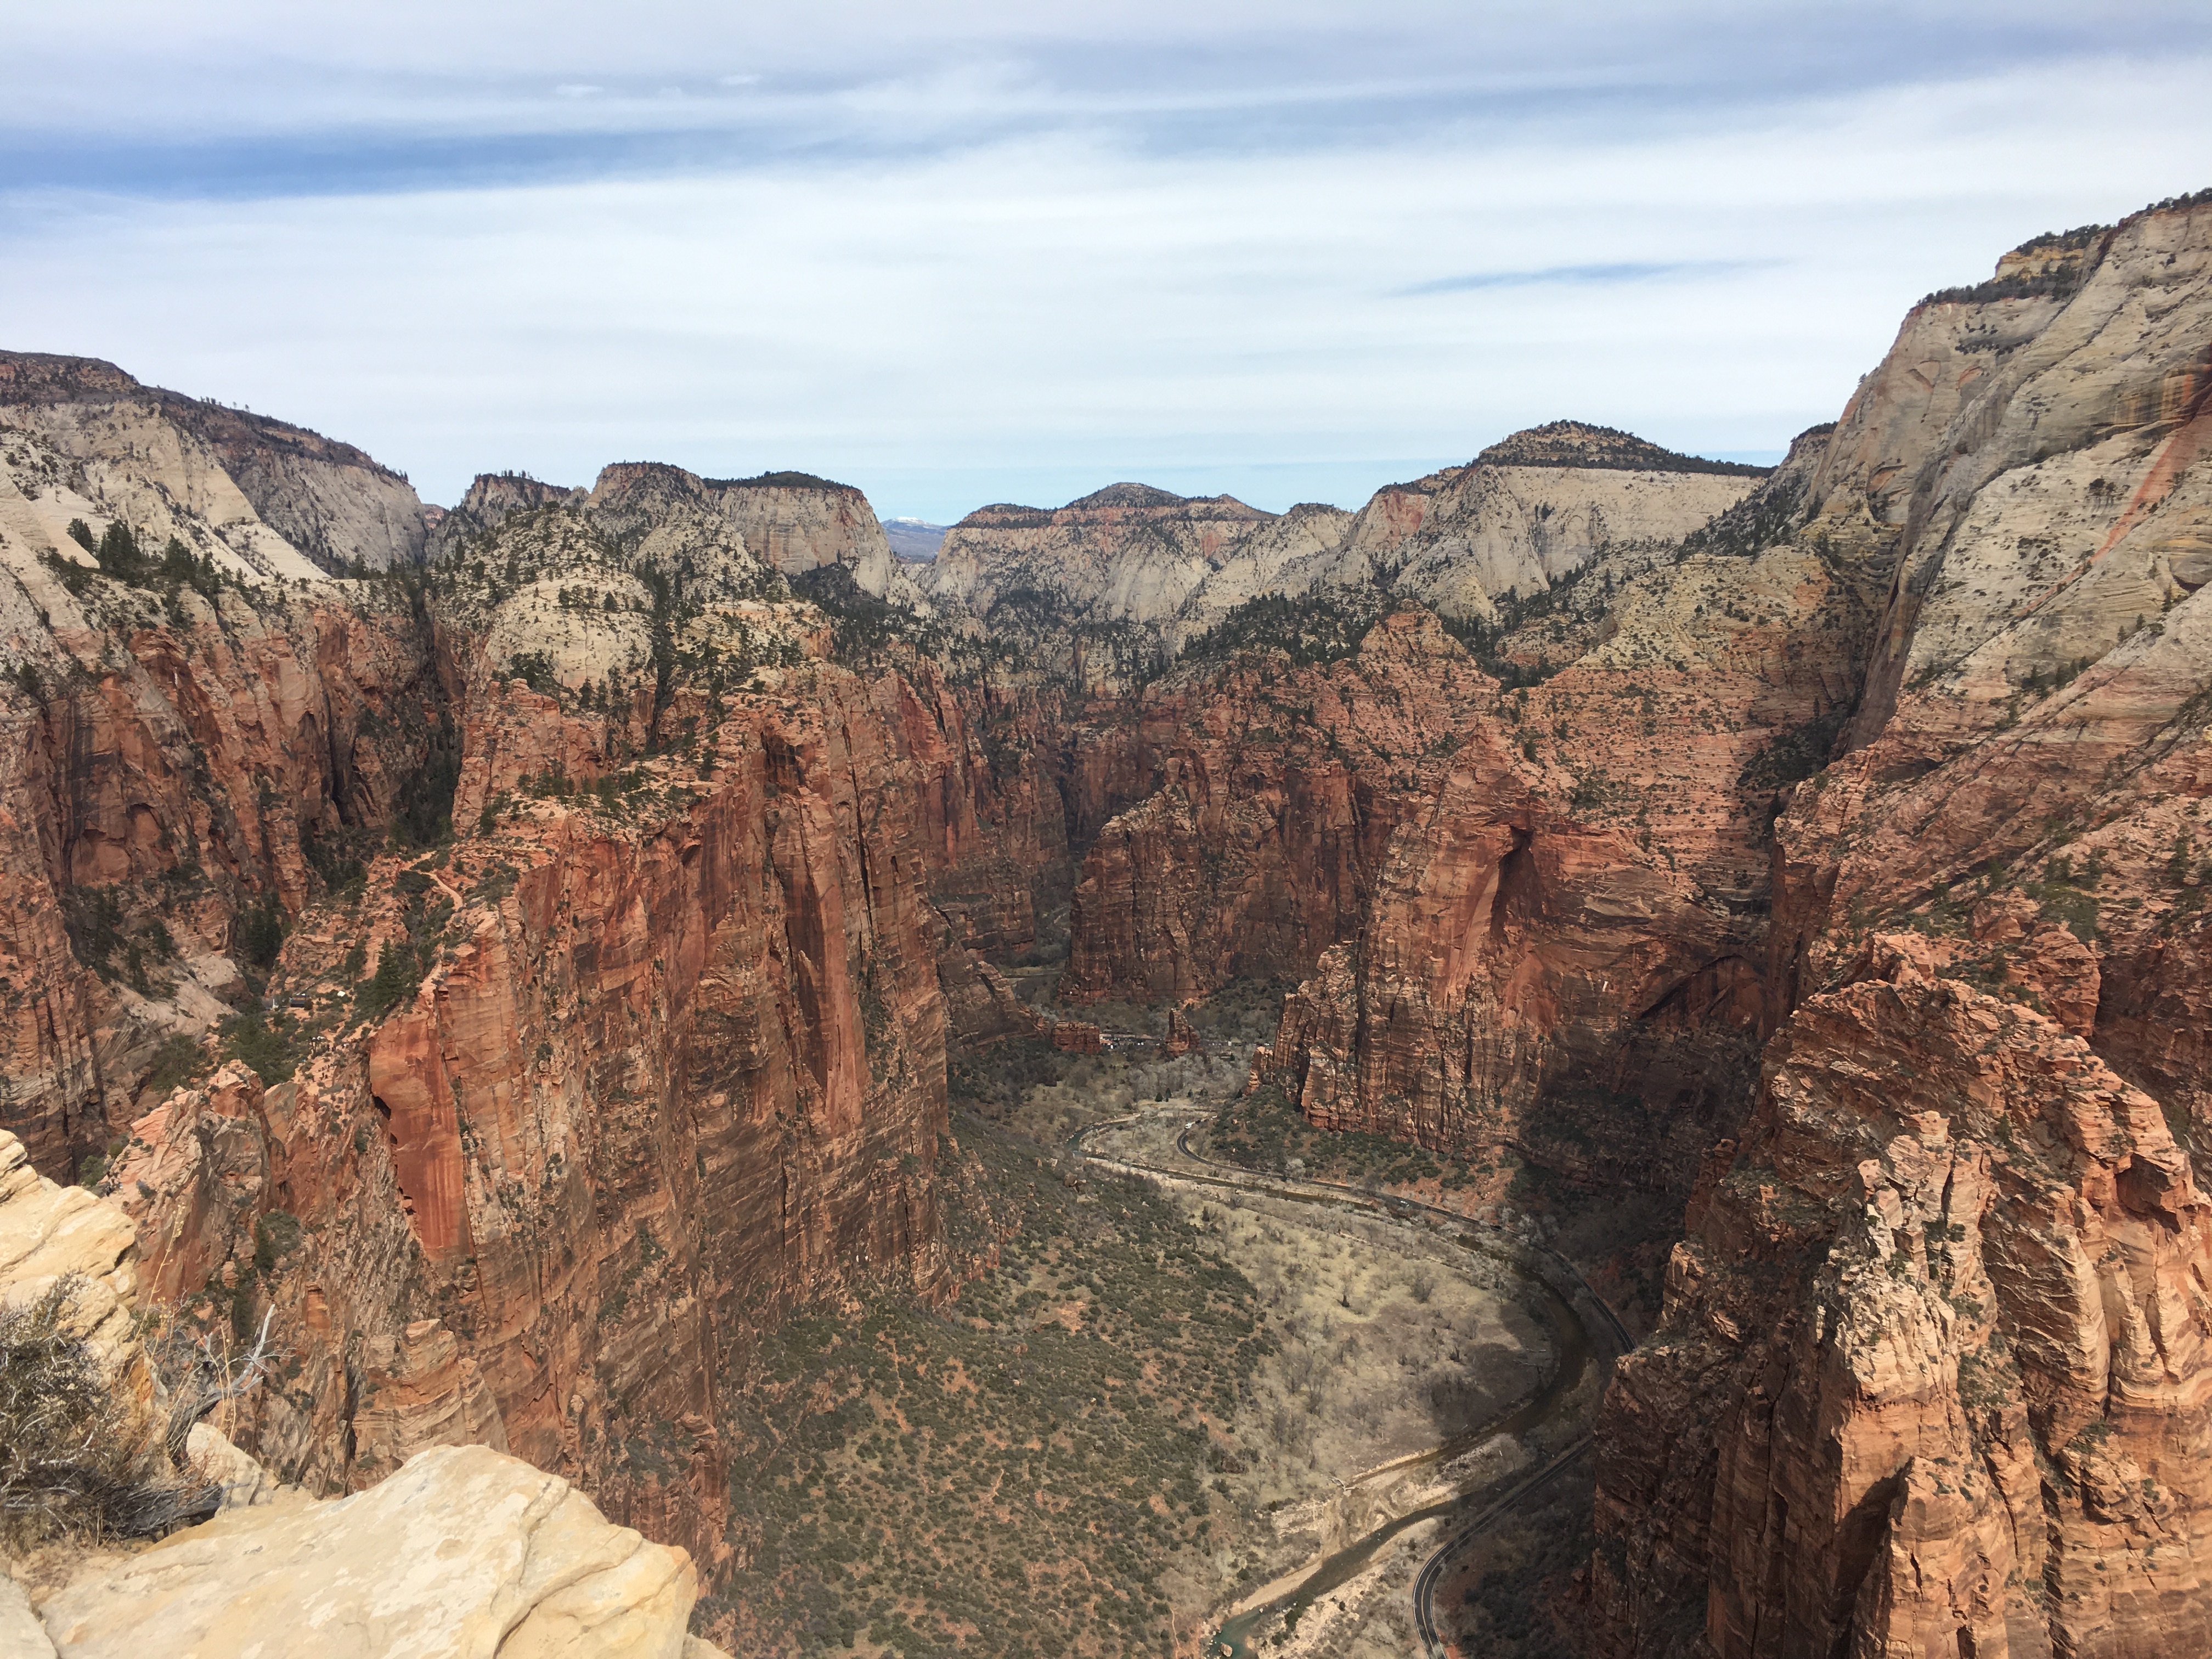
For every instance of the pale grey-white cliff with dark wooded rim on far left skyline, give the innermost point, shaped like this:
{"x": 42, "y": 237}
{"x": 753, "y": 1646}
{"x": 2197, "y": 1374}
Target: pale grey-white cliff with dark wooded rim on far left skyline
{"x": 300, "y": 492}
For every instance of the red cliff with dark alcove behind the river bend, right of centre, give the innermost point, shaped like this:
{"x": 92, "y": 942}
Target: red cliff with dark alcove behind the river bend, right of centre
{"x": 1523, "y": 917}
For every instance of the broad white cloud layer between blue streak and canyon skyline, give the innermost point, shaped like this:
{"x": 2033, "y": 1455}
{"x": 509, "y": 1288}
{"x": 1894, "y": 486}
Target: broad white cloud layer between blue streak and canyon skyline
{"x": 966, "y": 320}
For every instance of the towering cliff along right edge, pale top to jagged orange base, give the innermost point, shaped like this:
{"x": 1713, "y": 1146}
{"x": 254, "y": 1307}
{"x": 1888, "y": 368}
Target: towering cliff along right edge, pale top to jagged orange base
{"x": 1930, "y": 1375}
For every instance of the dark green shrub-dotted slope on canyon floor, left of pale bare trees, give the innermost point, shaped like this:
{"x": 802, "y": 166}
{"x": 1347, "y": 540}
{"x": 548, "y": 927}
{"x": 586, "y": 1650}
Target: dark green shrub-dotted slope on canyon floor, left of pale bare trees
{"x": 1034, "y": 1468}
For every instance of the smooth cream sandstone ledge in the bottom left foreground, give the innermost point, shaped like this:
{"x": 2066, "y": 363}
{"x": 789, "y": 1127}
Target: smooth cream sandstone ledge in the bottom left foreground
{"x": 463, "y": 1552}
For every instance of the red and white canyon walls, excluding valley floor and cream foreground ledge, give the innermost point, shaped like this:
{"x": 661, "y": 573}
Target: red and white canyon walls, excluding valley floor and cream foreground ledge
{"x": 530, "y": 957}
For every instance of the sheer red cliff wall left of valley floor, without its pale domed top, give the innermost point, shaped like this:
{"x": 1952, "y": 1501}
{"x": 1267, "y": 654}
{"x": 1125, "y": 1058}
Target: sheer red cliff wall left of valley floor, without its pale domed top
{"x": 676, "y": 1067}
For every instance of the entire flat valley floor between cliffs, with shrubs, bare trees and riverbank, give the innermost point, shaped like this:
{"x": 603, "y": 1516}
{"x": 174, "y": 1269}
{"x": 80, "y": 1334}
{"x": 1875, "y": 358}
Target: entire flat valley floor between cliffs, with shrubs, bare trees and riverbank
{"x": 1158, "y": 1404}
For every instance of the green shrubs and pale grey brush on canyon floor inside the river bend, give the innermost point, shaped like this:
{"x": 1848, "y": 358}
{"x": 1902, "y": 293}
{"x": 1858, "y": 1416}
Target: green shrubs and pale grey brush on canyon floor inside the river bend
{"x": 1129, "y": 1417}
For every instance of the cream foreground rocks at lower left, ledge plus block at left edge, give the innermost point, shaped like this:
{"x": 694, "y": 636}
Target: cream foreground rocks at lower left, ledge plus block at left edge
{"x": 461, "y": 1552}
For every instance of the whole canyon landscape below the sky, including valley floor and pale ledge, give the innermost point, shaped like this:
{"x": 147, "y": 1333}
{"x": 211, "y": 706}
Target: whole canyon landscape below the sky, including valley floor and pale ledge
{"x": 1600, "y": 1056}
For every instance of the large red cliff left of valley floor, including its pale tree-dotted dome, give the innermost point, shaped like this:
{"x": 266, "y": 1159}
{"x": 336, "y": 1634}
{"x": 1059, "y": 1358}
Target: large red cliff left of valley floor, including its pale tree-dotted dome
{"x": 669, "y": 1043}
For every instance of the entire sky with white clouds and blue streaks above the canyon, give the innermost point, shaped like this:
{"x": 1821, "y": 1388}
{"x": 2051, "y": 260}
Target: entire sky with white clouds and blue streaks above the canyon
{"x": 972, "y": 253}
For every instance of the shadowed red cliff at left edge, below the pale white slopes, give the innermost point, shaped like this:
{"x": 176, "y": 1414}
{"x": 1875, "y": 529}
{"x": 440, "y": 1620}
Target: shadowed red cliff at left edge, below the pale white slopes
{"x": 174, "y": 766}
